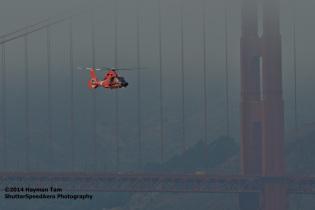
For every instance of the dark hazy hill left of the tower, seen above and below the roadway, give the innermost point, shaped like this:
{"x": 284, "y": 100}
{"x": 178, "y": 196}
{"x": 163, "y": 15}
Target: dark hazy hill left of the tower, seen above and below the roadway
{"x": 220, "y": 153}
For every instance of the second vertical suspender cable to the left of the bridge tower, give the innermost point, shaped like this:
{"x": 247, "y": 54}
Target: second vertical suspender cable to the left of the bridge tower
{"x": 204, "y": 37}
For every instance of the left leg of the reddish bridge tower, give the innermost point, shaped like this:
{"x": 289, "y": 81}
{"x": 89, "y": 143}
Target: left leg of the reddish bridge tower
{"x": 251, "y": 105}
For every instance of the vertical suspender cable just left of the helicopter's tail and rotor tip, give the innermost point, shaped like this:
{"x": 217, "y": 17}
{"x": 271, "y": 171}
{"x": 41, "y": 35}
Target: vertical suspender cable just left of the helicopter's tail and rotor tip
{"x": 71, "y": 84}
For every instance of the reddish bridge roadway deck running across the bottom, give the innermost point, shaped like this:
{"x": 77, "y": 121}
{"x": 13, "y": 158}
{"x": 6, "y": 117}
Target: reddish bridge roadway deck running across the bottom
{"x": 146, "y": 182}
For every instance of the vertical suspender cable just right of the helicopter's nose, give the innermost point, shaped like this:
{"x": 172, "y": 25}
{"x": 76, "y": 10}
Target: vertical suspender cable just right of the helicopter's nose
{"x": 139, "y": 90}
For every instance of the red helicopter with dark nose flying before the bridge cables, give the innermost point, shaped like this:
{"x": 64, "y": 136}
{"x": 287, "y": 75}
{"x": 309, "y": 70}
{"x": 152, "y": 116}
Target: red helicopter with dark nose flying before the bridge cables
{"x": 111, "y": 80}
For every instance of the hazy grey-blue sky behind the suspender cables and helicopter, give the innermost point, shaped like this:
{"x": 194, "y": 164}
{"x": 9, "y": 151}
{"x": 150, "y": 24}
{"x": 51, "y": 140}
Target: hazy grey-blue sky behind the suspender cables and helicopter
{"x": 15, "y": 14}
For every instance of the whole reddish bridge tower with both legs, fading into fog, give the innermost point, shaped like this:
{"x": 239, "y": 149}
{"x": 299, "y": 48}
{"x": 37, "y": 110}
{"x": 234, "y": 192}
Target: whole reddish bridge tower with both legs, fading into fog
{"x": 262, "y": 123}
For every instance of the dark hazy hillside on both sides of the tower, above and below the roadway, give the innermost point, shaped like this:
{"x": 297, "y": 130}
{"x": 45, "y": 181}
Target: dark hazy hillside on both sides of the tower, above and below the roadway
{"x": 224, "y": 158}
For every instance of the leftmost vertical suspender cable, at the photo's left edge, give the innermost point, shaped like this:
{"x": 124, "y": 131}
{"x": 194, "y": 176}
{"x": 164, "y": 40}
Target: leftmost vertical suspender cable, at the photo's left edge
{"x": 4, "y": 109}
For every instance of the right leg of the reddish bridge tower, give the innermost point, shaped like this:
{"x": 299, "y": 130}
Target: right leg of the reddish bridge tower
{"x": 274, "y": 195}
